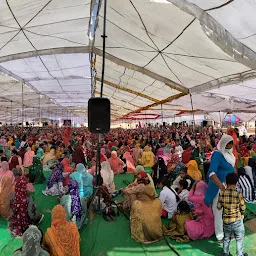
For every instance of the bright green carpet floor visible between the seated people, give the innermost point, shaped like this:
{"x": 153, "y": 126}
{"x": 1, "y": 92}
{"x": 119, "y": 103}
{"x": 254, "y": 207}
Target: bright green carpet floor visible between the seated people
{"x": 101, "y": 238}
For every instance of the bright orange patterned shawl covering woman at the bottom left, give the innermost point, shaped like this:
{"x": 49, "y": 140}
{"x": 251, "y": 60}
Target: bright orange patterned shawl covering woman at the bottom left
{"x": 66, "y": 233}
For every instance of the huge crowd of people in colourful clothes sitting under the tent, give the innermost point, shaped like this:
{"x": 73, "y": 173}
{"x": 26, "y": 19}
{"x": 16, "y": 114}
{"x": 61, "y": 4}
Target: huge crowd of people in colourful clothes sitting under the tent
{"x": 177, "y": 174}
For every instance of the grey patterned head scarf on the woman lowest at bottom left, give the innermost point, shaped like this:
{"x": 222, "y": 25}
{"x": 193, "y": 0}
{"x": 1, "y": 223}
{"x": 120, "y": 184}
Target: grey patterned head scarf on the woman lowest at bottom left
{"x": 31, "y": 242}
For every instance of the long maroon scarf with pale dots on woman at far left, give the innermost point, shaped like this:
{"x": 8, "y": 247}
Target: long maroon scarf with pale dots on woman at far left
{"x": 19, "y": 220}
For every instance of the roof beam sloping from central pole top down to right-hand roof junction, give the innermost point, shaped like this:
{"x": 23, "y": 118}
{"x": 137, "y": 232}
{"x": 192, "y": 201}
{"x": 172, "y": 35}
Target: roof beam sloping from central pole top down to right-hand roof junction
{"x": 142, "y": 70}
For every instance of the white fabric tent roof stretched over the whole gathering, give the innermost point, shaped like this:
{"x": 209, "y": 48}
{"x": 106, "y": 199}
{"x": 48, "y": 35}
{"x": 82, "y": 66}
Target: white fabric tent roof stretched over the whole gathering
{"x": 157, "y": 52}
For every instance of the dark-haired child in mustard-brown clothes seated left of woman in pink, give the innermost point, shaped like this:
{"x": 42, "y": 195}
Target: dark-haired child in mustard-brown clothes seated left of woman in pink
{"x": 176, "y": 229}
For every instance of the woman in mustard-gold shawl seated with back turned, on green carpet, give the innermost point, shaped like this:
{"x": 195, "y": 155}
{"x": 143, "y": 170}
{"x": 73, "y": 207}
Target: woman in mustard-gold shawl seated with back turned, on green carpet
{"x": 146, "y": 224}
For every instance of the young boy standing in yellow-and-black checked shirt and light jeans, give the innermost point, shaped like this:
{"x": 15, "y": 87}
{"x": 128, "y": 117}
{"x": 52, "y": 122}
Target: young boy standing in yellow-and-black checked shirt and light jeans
{"x": 233, "y": 206}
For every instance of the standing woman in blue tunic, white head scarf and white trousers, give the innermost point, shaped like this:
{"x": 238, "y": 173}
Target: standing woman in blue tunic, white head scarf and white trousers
{"x": 222, "y": 163}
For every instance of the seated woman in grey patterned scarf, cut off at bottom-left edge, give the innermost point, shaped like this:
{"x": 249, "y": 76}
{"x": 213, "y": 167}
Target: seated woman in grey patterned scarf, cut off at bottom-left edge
{"x": 32, "y": 243}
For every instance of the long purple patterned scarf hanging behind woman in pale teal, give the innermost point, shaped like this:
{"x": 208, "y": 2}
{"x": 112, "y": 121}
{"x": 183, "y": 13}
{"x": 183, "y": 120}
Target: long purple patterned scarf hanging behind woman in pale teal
{"x": 76, "y": 208}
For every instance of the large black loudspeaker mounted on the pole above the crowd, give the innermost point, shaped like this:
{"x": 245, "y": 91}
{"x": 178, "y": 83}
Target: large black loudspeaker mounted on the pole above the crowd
{"x": 99, "y": 115}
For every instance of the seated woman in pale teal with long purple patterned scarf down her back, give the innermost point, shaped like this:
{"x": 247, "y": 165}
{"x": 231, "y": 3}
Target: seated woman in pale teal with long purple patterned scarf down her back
{"x": 74, "y": 206}
